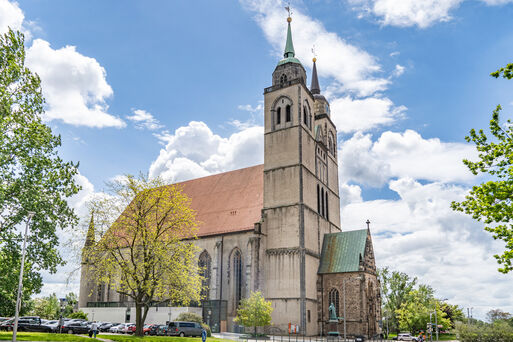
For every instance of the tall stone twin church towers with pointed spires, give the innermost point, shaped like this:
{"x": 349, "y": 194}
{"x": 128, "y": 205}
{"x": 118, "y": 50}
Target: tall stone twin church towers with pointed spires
{"x": 301, "y": 201}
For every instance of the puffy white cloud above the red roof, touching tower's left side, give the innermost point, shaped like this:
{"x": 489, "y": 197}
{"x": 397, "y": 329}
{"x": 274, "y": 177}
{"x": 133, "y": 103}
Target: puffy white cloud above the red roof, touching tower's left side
{"x": 195, "y": 151}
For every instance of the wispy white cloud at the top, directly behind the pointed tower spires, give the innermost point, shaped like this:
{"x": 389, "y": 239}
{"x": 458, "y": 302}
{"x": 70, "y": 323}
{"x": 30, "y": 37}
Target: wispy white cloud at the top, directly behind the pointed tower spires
{"x": 354, "y": 69}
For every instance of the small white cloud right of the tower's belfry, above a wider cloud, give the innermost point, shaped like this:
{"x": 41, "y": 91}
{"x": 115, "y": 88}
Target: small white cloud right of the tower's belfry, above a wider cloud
{"x": 350, "y": 115}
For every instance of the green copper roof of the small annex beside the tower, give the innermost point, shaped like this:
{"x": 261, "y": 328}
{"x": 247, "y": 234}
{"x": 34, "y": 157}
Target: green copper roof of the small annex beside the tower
{"x": 341, "y": 252}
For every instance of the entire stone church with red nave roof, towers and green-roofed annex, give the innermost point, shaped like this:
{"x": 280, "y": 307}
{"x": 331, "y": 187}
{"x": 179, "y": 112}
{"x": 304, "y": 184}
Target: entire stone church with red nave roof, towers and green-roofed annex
{"x": 275, "y": 227}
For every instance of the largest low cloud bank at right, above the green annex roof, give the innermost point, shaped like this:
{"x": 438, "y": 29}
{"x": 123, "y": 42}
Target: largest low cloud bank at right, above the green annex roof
{"x": 421, "y": 235}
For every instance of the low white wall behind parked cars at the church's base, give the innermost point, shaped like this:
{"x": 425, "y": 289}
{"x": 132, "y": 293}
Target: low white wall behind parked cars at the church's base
{"x": 156, "y": 315}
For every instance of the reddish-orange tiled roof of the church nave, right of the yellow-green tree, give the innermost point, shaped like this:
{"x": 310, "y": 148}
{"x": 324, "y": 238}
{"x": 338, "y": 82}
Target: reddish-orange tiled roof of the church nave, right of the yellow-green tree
{"x": 227, "y": 202}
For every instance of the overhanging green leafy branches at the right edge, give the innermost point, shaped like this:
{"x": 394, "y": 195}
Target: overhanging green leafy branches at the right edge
{"x": 491, "y": 201}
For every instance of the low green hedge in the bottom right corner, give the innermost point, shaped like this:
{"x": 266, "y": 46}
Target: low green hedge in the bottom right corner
{"x": 489, "y": 333}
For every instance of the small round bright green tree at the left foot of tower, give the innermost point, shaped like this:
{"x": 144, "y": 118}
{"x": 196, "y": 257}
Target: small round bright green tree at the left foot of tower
{"x": 254, "y": 311}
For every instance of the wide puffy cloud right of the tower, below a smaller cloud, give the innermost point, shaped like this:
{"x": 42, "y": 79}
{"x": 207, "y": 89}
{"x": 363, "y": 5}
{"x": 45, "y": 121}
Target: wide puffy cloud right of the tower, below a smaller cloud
{"x": 405, "y": 154}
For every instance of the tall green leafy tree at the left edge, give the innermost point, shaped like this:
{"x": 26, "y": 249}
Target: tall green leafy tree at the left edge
{"x": 32, "y": 176}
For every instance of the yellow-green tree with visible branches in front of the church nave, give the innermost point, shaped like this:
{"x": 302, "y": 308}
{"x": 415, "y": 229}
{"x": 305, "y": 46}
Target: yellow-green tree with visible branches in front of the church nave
{"x": 147, "y": 253}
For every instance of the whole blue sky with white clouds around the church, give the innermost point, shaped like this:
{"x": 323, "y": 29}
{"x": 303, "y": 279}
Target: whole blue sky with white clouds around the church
{"x": 174, "y": 88}
